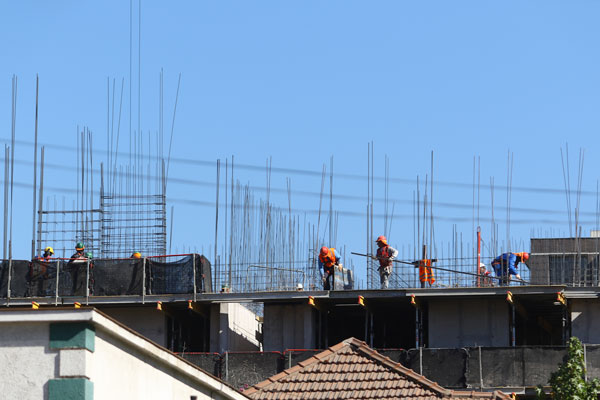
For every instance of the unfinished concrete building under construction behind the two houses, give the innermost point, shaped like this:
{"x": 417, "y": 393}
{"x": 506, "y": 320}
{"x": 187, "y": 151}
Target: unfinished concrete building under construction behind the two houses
{"x": 465, "y": 336}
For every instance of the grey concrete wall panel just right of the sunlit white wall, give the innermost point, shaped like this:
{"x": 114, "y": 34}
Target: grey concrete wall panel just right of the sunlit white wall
{"x": 289, "y": 326}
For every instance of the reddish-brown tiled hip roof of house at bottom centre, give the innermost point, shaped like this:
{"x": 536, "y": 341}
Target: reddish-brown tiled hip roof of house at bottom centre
{"x": 352, "y": 370}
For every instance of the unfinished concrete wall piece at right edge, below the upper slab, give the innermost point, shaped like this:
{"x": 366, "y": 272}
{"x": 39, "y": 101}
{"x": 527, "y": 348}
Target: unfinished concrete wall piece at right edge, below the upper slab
{"x": 585, "y": 319}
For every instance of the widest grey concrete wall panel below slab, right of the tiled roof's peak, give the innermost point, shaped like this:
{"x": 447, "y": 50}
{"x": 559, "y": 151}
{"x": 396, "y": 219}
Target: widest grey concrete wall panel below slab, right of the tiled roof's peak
{"x": 468, "y": 322}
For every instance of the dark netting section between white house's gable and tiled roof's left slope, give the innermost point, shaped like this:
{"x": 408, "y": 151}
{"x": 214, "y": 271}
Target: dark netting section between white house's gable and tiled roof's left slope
{"x": 243, "y": 370}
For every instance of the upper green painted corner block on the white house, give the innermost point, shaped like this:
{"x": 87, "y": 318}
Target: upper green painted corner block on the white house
{"x": 72, "y": 335}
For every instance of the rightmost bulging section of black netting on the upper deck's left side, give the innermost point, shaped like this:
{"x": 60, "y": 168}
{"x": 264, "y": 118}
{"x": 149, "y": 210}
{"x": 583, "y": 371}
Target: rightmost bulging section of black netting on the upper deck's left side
{"x": 178, "y": 276}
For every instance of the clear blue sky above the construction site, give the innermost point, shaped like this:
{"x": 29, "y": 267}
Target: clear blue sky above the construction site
{"x": 300, "y": 81}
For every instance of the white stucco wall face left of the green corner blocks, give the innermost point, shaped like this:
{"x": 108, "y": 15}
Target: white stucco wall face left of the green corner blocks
{"x": 26, "y": 361}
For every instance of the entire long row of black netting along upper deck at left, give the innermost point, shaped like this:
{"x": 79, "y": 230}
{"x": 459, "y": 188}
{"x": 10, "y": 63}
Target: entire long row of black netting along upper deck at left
{"x": 104, "y": 277}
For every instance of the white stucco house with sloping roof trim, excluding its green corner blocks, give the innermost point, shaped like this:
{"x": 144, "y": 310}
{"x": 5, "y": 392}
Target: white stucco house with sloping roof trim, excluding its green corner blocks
{"x": 123, "y": 365}
